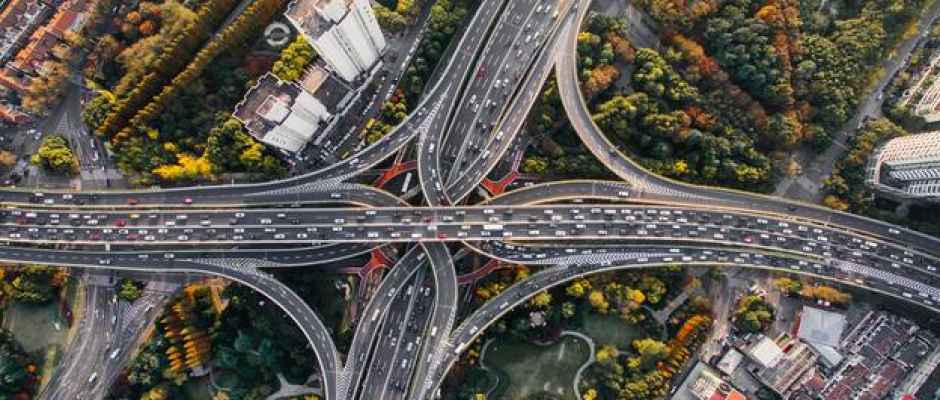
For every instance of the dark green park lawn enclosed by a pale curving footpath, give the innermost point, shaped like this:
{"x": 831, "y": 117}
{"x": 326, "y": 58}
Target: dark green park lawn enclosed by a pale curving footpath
{"x": 534, "y": 369}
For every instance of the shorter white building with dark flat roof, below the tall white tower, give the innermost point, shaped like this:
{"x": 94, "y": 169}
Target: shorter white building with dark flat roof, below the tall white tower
{"x": 287, "y": 115}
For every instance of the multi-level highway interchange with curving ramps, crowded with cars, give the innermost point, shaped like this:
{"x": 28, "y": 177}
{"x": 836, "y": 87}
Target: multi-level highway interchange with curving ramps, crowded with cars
{"x": 406, "y": 338}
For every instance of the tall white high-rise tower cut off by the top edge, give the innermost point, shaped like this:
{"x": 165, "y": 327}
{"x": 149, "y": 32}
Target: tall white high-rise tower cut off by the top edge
{"x": 344, "y": 33}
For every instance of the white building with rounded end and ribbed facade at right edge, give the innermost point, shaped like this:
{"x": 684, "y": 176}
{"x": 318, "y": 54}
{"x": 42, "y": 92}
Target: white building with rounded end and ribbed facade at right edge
{"x": 907, "y": 167}
